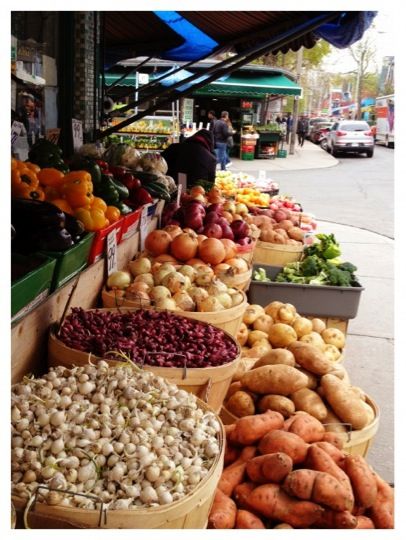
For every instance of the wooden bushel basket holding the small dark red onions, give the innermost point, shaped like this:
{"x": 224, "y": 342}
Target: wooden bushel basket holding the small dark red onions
{"x": 209, "y": 384}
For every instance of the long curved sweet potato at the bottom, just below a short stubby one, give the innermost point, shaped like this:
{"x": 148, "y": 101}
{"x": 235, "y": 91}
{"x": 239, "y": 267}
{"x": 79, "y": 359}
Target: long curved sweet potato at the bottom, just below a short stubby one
{"x": 272, "y": 502}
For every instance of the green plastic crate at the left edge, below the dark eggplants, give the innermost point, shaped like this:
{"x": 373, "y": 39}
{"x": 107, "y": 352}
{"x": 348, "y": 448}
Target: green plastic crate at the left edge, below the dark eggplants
{"x": 32, "y": 288}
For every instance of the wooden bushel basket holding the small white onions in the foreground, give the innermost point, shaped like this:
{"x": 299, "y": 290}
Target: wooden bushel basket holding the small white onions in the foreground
{"x": 190, "y": 512}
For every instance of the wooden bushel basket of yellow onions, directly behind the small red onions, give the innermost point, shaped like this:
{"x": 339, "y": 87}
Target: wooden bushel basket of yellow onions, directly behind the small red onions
{"x": 228, "y": 320}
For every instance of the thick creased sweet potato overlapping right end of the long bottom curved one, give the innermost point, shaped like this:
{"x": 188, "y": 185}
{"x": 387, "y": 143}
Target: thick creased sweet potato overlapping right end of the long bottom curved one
{"x": 319, "y": 487}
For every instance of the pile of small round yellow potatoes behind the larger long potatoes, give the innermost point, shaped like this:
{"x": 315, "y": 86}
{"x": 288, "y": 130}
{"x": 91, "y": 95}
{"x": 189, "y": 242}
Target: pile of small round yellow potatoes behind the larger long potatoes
{"x": 278, "y": 325}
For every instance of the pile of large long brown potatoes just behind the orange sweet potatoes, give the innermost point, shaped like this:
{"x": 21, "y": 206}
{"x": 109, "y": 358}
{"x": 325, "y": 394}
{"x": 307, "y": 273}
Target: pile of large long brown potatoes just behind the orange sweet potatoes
{"x": 299, "y": 378}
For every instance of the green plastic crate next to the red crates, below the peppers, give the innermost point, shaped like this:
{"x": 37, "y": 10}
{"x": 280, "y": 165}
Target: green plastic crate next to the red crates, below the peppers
{"x": 70, "y": 262}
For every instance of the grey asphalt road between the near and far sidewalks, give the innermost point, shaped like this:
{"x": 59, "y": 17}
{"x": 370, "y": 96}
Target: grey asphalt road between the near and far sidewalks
{"x": 359, "y": 191}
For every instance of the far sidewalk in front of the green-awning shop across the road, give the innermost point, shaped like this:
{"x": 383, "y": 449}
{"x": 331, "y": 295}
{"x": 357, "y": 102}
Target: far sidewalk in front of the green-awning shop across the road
{"x": 310, "y": 156}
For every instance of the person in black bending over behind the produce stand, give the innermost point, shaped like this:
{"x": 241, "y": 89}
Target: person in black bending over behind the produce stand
{"x": 194, "y": 157}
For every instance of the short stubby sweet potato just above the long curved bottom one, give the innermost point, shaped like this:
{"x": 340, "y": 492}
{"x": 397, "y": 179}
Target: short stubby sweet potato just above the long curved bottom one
{"x": 269, "y": 468}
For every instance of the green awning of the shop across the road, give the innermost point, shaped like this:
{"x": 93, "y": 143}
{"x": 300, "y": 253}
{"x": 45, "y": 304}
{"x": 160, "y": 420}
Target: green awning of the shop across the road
{"x": 254, "y": 87}
